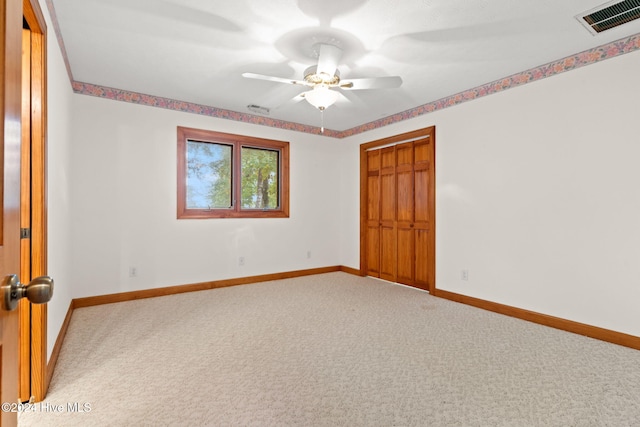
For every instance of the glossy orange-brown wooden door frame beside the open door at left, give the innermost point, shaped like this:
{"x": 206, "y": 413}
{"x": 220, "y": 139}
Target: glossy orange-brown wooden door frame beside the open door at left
{"x": 36, "y": 321}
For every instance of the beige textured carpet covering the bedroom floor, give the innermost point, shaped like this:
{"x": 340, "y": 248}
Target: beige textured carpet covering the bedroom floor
{"x": 331, "y": 350}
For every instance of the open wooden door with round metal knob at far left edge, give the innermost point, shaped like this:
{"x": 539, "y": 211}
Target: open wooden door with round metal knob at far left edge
{"x": 10, "y": 59}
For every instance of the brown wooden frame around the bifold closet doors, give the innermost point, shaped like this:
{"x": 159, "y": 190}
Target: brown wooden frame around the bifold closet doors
{"x": 429, "y": 132}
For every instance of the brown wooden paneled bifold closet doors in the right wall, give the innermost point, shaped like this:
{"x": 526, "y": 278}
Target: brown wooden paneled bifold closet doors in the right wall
{"x": 399, "y": 213}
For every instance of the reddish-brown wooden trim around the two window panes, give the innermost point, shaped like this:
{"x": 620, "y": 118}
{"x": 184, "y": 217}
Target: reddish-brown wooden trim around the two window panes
{"x": 237, "y": 141}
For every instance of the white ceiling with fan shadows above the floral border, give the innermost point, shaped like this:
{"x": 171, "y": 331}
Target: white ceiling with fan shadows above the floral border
{"x": 197, "y": 50}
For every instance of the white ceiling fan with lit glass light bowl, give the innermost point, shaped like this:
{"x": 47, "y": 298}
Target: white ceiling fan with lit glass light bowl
{"x": 324, "y": 78}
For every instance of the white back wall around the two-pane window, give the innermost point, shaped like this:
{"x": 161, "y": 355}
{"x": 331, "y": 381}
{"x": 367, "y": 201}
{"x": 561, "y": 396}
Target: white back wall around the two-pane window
{"x": 124, "y": 205}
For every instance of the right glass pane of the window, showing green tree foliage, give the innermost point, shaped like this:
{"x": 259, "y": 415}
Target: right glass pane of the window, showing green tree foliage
{"x": 260, "y": 177}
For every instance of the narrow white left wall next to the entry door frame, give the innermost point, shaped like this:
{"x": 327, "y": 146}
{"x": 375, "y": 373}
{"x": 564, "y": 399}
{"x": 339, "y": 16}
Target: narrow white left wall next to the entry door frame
{"x": 59, "y": 178}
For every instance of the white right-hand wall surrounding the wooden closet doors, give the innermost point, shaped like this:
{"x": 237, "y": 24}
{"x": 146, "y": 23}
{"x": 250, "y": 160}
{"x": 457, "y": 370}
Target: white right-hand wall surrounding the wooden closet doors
{"x": 537, "y": 195}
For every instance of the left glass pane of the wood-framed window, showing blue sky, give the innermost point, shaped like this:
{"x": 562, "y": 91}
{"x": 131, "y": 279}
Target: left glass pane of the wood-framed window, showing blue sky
{"x": 208, "y": 175}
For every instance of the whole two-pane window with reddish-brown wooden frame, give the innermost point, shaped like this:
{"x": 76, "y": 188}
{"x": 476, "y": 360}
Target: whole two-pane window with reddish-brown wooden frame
{"x": 221, "y": 175}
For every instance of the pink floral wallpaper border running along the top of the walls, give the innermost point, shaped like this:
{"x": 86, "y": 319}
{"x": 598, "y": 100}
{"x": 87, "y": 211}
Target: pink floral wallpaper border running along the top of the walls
{"x": 569, "y": 63}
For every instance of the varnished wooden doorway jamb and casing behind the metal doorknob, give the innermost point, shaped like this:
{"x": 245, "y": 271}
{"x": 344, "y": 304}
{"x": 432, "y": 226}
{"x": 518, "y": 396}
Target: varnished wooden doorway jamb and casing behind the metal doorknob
{"x": 33, "y": 374}
